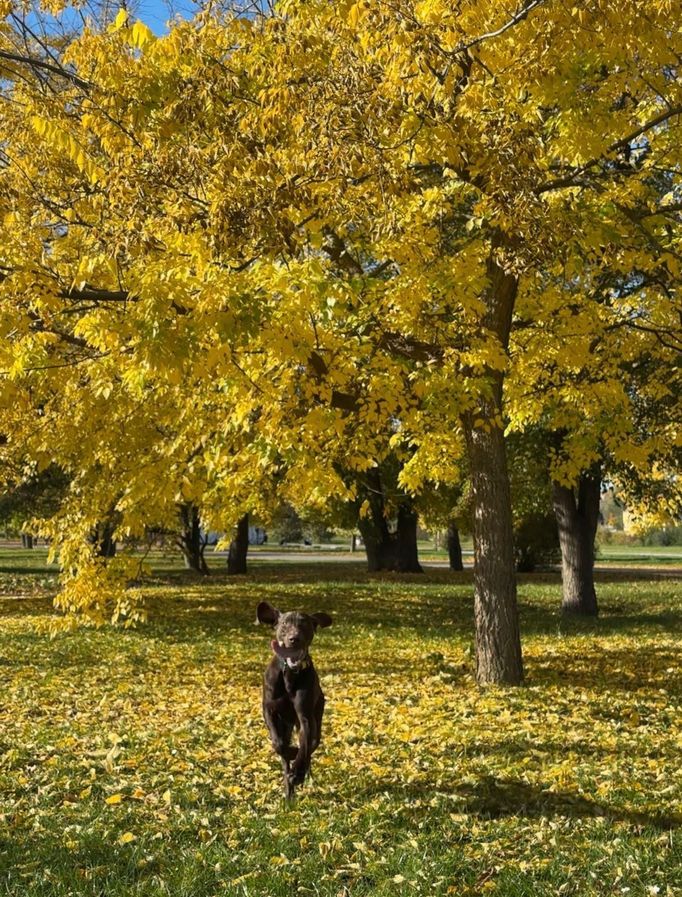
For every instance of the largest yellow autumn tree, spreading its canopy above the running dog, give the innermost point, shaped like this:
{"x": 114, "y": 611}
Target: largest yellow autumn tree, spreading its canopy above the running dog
{"x": 262, "y": 244}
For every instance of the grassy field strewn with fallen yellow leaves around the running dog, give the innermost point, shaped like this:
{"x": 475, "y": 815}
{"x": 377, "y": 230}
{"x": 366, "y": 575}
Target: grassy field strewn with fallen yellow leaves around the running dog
{"x": 136, "y": 762}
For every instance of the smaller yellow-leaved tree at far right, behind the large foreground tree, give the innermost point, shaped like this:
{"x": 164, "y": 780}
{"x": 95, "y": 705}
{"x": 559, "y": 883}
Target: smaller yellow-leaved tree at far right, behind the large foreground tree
{"x": 605, "y": 392}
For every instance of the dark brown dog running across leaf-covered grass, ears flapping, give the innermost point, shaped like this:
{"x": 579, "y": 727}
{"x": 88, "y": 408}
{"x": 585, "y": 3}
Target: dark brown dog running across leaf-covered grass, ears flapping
{"x": 292, "y": 697}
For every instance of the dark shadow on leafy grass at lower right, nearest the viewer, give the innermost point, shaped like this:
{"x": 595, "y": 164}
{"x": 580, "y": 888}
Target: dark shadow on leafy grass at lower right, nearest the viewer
{"x": 491, "y": 798}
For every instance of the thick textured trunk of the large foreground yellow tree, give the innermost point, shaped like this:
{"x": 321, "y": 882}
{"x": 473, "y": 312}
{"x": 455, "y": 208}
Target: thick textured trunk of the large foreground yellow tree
{"x": 498, "y": 641}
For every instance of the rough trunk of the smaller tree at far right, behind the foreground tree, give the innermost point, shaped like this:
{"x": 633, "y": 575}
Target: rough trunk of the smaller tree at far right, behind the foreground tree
{"x": 577, "y": 515}
